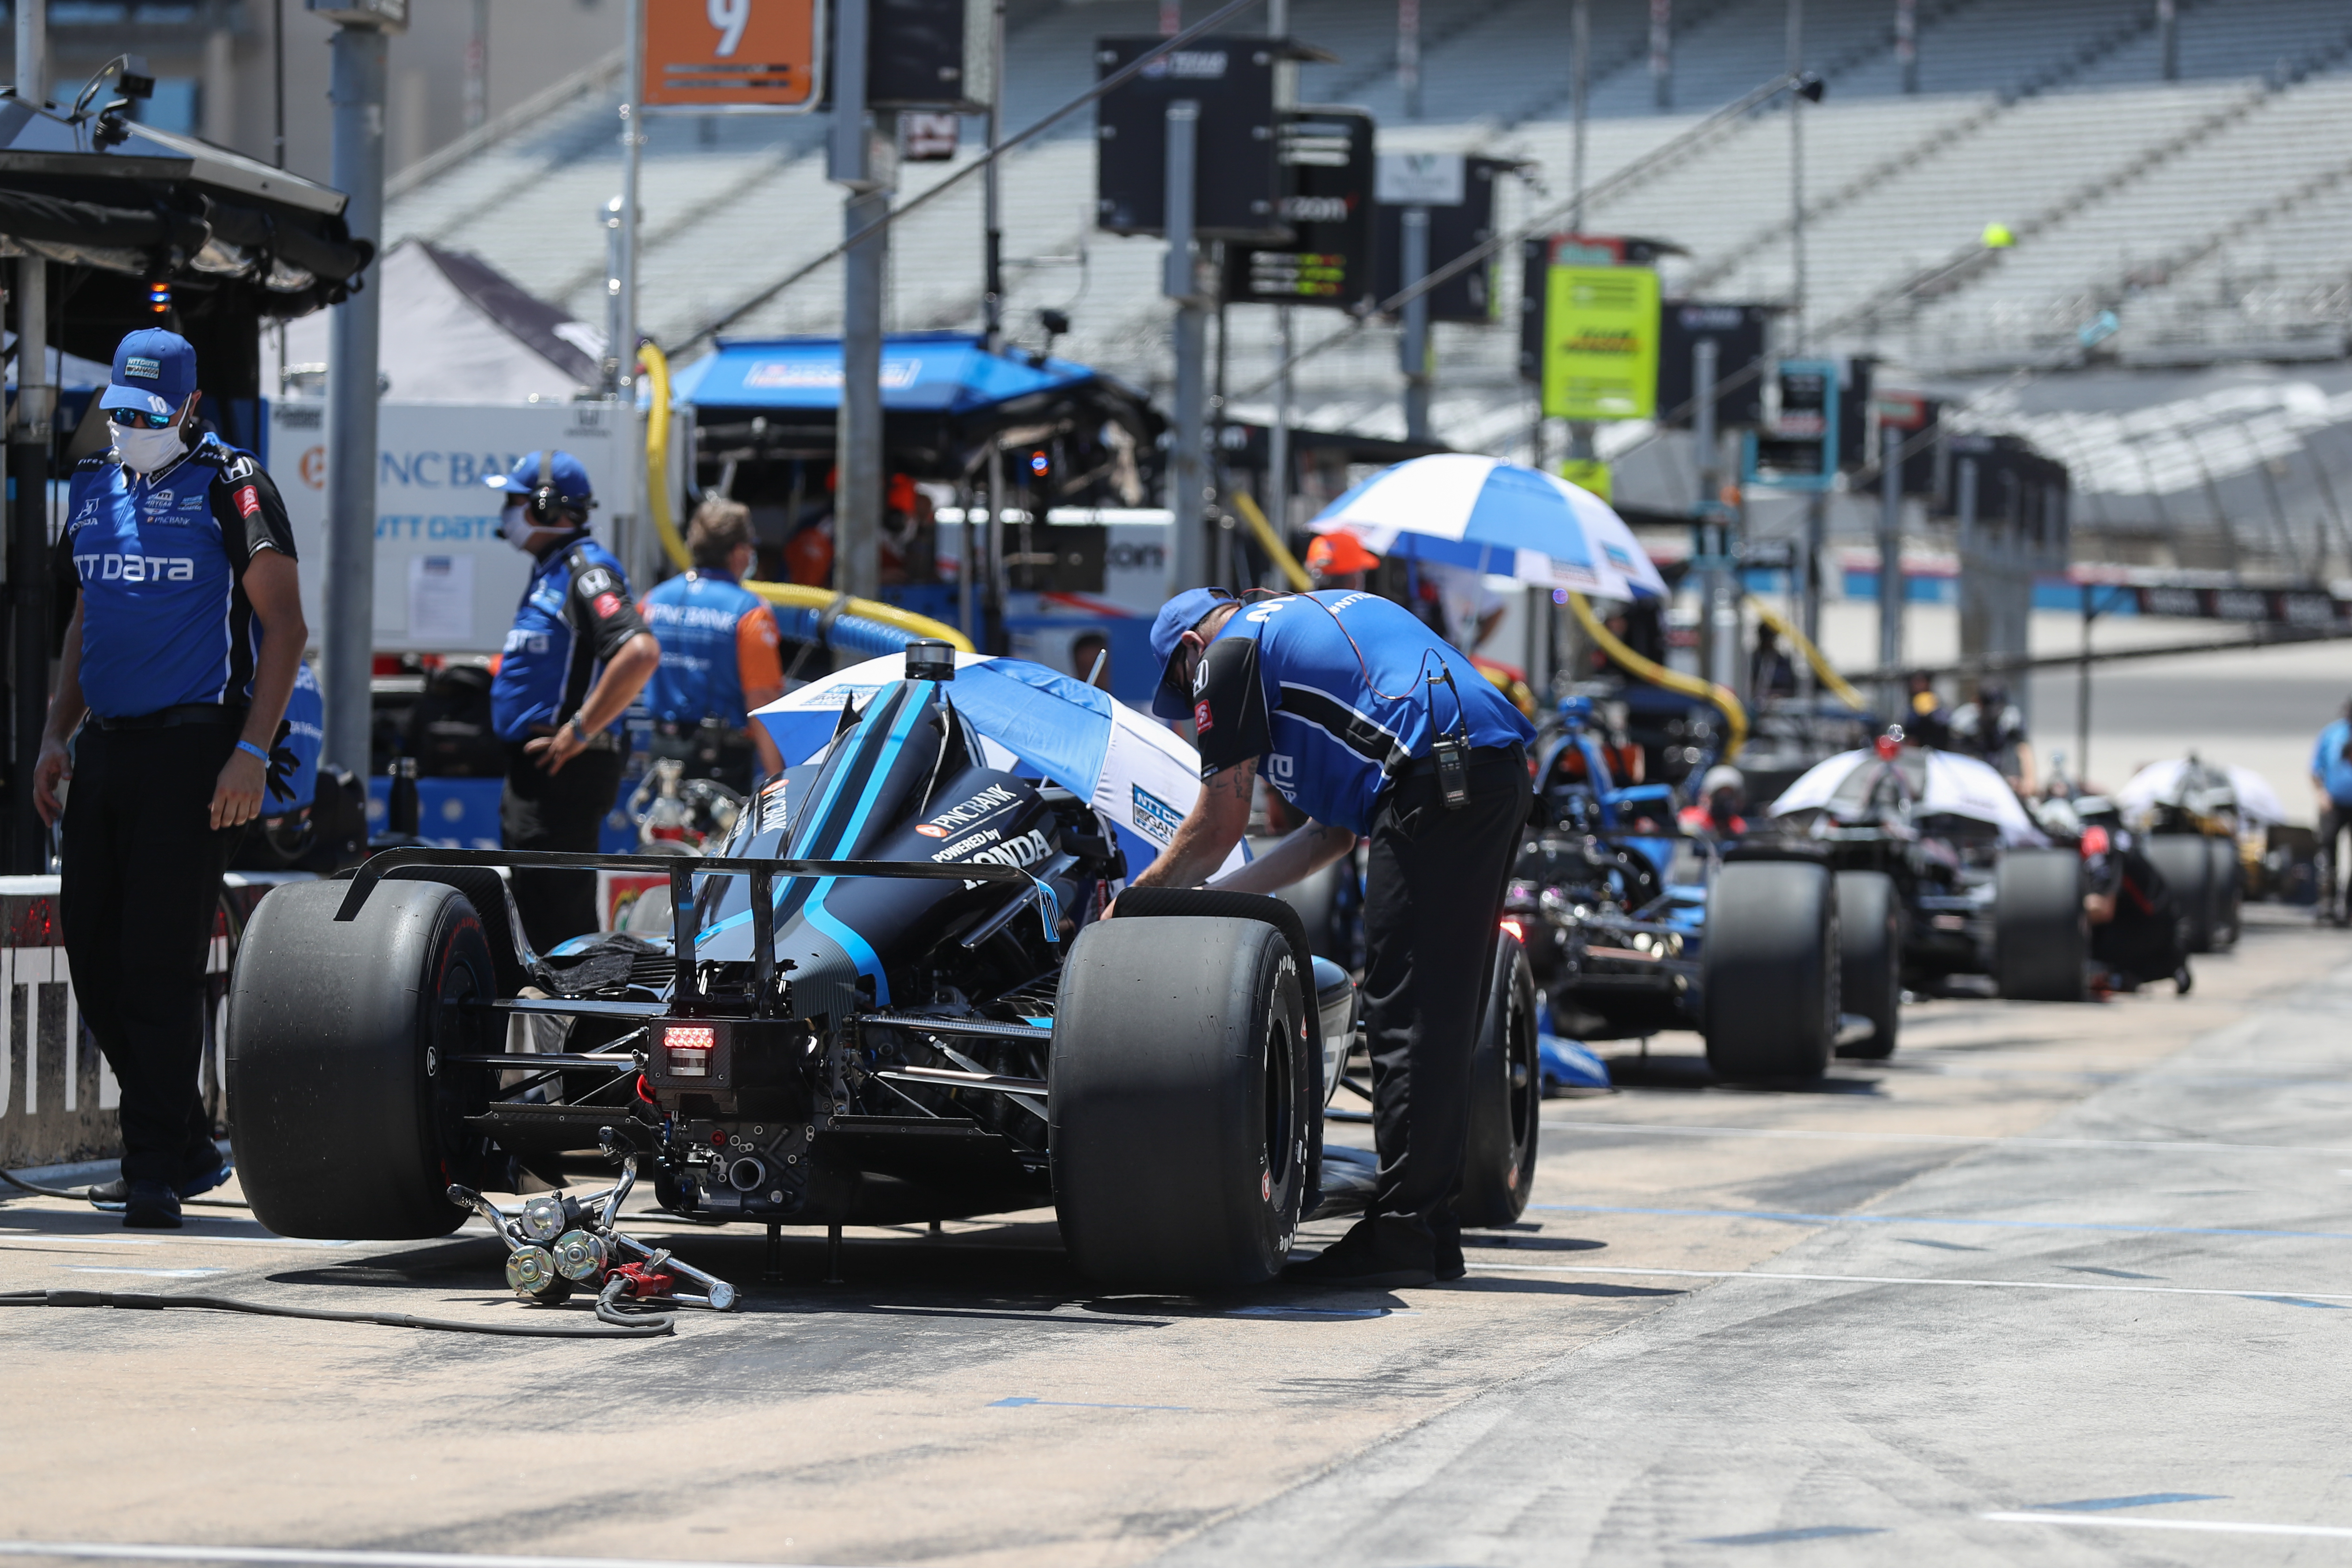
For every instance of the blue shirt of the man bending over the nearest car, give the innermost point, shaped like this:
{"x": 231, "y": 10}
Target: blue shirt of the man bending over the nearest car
{"x": 1330, "y": 695}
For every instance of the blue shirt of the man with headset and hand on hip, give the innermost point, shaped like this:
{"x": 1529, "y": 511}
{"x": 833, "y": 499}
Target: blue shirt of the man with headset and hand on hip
{"x": 575, "y": 615}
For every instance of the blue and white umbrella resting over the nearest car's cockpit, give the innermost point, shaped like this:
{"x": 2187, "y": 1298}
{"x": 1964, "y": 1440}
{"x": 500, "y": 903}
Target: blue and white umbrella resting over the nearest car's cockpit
{"x": 1031, "y": 721}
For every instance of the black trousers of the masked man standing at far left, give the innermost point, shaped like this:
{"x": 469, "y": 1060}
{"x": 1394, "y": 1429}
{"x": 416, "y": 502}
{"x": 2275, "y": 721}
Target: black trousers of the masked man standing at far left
{"x": 142, "y": 890}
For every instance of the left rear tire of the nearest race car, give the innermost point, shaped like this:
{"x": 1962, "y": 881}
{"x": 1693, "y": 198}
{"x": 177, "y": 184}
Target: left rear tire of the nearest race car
{"x": 347, "y": 1123}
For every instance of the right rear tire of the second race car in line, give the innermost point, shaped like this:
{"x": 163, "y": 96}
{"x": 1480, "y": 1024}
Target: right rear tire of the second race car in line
{"x": 1770, "y": 972}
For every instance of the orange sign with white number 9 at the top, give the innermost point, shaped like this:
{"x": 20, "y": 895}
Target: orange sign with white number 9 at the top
{"x": 733, "y": 55}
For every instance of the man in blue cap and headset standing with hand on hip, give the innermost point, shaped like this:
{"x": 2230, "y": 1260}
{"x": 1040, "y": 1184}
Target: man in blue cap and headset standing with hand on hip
{"x": 573, "y": 664}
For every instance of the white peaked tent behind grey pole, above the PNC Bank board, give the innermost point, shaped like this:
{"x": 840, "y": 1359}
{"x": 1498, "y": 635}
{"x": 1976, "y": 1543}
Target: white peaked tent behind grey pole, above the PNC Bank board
{"x": 455, "y": 330}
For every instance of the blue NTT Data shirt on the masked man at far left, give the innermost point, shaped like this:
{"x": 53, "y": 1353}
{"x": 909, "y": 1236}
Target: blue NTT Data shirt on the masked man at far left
{"x": 159, "y": 563}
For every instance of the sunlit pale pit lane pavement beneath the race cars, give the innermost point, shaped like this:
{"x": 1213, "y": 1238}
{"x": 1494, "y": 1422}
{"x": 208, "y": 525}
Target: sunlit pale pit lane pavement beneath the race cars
{"x": 2076, "y": 1266}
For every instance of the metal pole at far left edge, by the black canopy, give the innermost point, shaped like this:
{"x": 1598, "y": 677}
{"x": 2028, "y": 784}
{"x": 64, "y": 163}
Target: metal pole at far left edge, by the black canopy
{"x": 29, "y": 476}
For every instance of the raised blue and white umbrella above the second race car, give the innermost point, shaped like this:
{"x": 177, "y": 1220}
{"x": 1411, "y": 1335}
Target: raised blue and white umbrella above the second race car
{"x": 1502, "y": 518}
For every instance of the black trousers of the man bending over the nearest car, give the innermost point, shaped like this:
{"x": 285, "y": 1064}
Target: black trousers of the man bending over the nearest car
{"x": 1434, "y": 909}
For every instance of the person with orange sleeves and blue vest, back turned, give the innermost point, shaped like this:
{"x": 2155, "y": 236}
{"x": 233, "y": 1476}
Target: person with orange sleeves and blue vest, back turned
{"x": 719, "y": 655}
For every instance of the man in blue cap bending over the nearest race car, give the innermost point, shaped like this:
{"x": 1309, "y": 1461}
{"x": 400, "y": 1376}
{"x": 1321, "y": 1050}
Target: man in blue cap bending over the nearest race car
{"x": 1372, "y": 728}
